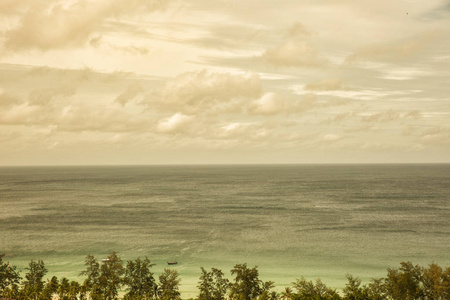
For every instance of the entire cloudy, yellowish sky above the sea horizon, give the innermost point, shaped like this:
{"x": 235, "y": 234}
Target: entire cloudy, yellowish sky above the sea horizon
{"x": 95, "y": 82}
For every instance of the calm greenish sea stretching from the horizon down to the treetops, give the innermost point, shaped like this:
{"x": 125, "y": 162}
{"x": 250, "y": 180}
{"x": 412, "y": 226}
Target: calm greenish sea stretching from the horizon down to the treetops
{"x": 291, "y": 221}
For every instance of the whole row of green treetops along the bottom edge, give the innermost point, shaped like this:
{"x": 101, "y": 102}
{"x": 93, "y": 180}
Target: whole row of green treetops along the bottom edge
{"x": 103, "y": 281}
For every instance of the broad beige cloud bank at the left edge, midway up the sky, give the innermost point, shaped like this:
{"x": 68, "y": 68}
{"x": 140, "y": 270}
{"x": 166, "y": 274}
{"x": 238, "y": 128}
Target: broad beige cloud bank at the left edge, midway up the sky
{"x": 65, "y": 101}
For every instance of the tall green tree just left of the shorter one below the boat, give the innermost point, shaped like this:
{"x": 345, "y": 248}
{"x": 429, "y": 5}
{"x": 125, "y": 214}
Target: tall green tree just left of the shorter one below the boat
{"x": 139, "y": 280}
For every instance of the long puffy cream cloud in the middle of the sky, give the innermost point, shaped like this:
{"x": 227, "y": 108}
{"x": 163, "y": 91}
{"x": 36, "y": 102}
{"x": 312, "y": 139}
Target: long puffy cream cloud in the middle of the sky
{"x": 214, "y": 94}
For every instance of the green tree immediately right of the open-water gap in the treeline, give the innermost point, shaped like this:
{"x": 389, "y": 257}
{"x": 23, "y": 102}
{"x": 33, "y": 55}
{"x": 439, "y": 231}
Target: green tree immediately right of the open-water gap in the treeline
{"x": 212, "y": 285}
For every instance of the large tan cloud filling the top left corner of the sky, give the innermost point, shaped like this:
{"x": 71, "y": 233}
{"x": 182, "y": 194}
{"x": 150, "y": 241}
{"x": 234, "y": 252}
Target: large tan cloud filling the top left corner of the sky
{"x": 53, "y": 24}
